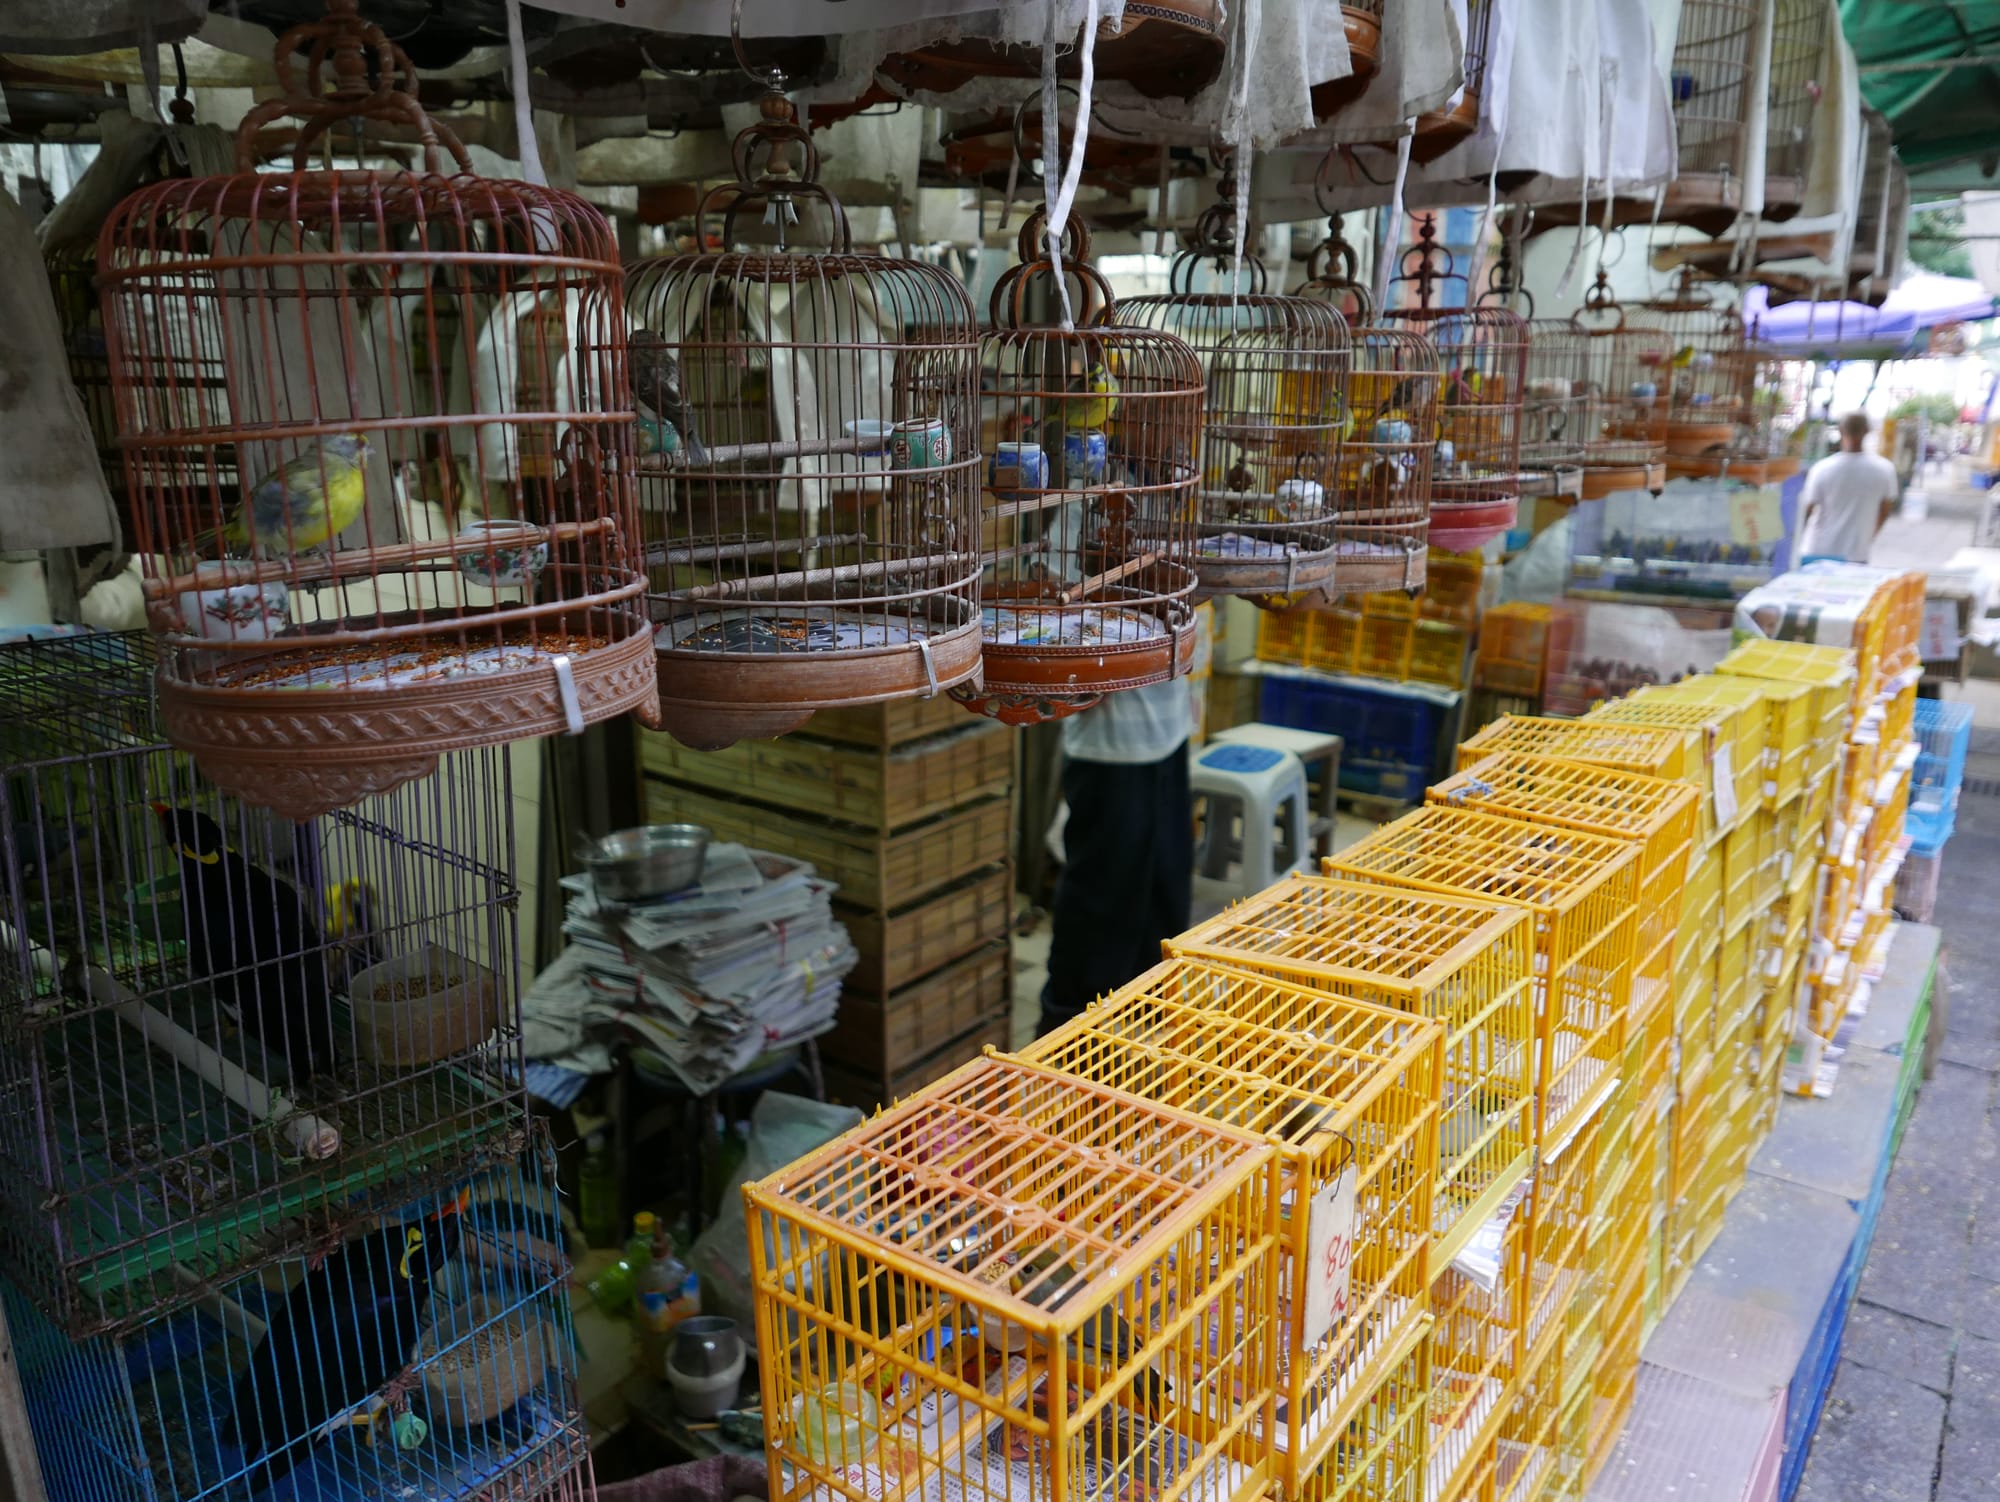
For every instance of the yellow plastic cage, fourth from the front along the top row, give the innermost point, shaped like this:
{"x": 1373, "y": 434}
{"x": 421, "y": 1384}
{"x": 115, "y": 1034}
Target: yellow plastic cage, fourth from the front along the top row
{"x": 1583, "y": 893}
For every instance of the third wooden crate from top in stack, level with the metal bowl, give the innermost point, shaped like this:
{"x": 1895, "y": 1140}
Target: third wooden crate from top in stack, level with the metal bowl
{"x": 873, "y": 869}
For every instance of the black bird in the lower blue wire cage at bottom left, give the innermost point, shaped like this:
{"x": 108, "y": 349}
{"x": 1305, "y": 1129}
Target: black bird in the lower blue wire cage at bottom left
{"x": 343, "y": 1335}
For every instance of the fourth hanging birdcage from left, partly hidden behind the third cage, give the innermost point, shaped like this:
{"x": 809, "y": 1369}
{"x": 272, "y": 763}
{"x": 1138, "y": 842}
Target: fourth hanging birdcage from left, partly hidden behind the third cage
{"x": 1277, "y": 373}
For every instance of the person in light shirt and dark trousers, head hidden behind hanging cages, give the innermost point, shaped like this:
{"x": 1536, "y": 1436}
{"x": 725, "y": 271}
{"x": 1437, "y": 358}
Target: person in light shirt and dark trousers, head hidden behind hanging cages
{"x": 1129, "y": 847}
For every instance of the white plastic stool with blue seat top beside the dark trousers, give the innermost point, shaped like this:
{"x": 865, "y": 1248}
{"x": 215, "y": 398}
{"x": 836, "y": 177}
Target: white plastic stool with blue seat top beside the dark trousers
{"x": 1251, "y": 825}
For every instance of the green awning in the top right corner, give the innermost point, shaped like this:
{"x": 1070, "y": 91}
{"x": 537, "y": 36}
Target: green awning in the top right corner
{"x": 1915, "y": 69}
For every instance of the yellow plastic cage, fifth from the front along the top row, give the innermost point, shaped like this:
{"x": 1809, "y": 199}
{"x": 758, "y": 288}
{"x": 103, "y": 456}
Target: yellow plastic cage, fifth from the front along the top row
{"x": 1653, "y": 813}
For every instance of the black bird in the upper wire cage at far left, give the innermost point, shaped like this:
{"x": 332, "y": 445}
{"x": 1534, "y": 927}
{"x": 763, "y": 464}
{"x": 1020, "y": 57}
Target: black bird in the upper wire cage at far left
{"x": 253, "y": 937}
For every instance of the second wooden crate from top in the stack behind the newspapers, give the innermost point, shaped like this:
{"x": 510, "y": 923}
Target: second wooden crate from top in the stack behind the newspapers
{"x": 871, "y": 787}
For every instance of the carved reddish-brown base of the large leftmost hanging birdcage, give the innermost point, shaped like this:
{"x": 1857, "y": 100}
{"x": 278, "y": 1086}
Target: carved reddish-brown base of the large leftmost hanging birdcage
{"x": 309, "y": 751}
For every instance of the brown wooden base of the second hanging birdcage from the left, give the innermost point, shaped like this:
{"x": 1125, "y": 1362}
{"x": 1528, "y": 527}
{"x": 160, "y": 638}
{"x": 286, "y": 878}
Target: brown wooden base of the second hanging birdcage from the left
{"x": 711, "y": 701}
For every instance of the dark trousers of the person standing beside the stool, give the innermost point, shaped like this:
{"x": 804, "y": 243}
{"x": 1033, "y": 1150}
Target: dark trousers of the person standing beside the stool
{"x": 1125, "y": 883}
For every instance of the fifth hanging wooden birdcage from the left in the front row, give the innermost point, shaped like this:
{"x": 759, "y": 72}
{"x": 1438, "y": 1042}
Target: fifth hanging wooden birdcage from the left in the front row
{"x": 1383, "y": 491}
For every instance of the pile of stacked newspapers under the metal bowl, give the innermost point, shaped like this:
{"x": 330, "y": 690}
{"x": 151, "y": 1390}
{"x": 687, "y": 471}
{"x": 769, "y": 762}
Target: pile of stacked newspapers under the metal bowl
{"x": 707, "y": 979}
